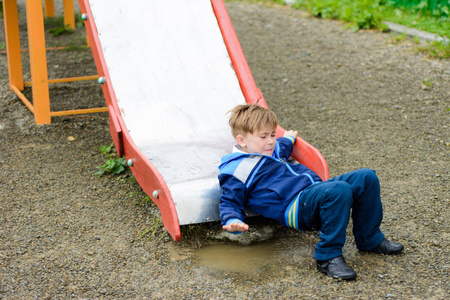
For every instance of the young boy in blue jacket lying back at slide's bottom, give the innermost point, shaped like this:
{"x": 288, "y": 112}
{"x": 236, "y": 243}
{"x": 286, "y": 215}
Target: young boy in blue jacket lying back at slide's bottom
{"x": 257, "y": 175}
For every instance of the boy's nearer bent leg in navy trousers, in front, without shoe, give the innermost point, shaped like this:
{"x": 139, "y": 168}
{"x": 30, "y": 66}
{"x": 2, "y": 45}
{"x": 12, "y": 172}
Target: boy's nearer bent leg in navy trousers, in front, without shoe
{"x": 326, "y": 207}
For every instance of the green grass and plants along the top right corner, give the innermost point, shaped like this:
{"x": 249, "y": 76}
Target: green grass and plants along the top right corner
{"x": 431, "y": 16}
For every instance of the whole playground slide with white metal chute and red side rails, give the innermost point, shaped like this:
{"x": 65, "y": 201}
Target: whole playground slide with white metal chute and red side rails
{"x": 170, "y": 71}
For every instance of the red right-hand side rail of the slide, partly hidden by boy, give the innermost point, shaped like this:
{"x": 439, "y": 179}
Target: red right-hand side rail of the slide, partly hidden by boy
{"x": 303, "y": 152}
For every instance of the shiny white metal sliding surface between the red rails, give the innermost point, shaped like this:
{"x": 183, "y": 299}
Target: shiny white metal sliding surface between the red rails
{"x": 174, "y": 84}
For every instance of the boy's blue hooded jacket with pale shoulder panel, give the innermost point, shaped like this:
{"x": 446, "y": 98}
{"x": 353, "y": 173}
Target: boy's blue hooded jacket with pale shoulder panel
{"x": 264, "y": 184}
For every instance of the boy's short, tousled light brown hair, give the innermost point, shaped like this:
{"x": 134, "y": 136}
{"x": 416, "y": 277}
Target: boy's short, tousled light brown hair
{"x": 250, "y": 118}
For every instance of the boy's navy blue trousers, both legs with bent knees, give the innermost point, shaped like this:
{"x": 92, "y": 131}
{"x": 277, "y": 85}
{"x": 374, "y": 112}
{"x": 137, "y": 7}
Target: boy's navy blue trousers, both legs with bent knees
{"x": 326, "y": 207}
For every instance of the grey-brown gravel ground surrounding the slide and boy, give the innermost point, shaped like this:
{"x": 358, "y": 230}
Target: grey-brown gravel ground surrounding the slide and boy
{"x": 361, "y": 99}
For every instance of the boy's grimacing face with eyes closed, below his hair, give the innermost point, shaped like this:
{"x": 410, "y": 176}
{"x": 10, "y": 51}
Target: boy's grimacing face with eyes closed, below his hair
{"x": 262, "y": 142}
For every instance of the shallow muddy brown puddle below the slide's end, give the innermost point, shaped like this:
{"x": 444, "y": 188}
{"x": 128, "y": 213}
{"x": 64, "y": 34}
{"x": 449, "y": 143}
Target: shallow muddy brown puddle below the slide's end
{"x": 255, "y": 258}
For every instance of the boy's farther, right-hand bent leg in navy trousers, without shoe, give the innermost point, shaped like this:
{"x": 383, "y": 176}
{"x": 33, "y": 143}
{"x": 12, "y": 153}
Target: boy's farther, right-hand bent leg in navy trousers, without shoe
{"x": 367, "y": 210}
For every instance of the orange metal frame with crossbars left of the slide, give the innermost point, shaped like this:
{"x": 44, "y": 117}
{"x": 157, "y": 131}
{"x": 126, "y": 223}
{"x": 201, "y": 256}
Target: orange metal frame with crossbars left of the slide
{"x": 38, "y": 58}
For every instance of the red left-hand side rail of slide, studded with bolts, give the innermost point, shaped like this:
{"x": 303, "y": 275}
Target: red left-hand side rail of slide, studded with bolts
{"x": 144, "y": 171}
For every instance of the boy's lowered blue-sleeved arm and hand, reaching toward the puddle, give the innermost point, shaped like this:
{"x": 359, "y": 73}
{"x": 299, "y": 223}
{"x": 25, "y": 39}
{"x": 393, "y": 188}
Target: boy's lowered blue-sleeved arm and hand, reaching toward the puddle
{"x": 231, "y": 204}
